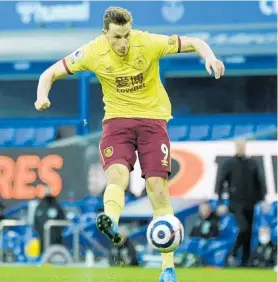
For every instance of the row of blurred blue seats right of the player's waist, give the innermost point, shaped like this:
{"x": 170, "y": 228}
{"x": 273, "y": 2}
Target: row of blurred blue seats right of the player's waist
{"x": 223, "y": 127}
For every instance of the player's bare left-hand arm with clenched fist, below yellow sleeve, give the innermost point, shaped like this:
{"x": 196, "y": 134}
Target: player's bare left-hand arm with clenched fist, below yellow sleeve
{"x": 53, "y": 73}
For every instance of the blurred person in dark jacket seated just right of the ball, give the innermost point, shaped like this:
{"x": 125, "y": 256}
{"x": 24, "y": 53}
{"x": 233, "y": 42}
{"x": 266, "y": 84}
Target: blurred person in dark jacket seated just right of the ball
{"x": 207, "y": 224}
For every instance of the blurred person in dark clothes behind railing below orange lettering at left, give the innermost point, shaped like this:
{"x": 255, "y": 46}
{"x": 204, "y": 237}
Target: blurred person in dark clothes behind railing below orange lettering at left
{"x": 49, "y": 209}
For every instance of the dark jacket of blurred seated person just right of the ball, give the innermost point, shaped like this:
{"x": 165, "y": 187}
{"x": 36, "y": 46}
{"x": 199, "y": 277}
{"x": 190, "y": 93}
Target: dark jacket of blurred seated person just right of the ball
{"x": 206, "y": 228}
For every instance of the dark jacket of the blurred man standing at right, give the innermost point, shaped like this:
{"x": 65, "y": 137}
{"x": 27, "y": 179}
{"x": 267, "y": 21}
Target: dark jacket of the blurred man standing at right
{"x": 244, "y": 184}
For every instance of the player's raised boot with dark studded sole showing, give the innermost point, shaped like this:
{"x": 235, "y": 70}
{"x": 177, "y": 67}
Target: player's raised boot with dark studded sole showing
{"x": 109, "y": 227}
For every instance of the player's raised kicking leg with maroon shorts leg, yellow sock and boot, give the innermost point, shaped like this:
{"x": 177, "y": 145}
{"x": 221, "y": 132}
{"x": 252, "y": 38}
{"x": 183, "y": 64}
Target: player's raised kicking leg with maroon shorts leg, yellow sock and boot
{"x": 117, "y": 154}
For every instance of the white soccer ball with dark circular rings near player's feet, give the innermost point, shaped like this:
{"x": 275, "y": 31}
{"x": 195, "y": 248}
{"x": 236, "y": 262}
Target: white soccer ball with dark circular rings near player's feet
{"x": 165, "y": 233}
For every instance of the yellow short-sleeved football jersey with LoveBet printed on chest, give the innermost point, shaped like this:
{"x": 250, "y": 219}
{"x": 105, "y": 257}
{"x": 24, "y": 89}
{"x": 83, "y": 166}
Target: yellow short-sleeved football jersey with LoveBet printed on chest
{"x": 131, "y": 84}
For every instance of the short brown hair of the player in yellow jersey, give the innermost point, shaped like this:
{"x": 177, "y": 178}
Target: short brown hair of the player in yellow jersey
{"x": 116, "y": 15}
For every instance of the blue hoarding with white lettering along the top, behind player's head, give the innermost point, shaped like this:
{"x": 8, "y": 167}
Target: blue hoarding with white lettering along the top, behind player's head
{"x": 24, "y": 15}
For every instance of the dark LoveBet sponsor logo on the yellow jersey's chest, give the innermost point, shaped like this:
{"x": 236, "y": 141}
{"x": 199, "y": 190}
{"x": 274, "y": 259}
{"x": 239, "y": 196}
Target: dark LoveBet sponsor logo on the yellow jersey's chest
{"x": 127, "y": 84}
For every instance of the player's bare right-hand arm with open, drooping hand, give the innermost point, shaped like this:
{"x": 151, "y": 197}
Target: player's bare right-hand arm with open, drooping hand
{"x": 191, "y": 44}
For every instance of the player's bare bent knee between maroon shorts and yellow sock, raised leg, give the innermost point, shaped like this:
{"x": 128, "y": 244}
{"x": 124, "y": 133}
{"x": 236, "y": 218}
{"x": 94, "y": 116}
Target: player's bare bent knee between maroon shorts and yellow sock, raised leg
{"x": 118, "y": 174}
